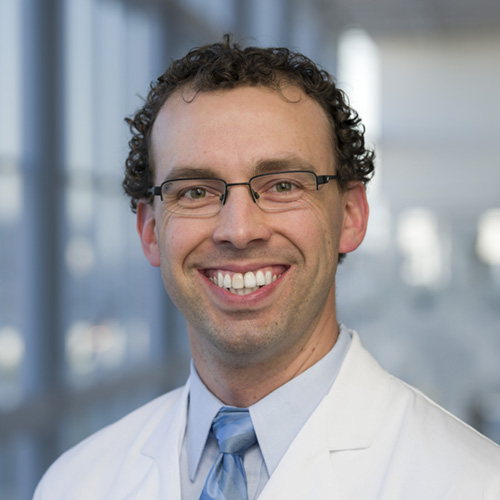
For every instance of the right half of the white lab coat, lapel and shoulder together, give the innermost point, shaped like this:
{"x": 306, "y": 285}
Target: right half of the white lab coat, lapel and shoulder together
{"x": 375, "y": 437}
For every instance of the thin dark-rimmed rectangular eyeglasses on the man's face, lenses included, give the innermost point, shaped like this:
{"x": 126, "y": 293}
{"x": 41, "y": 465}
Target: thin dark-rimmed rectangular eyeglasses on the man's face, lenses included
{"x": 274, "y": 192}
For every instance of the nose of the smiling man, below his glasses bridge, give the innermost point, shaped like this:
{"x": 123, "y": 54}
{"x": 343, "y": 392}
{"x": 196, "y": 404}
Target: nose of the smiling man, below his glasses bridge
{"x": 240, "y": 222}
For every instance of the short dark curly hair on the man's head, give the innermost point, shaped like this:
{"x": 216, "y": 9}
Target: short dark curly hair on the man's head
{"x": 226, "y": 65}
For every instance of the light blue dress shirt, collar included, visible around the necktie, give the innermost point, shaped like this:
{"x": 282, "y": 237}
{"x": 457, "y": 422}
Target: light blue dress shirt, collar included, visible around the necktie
{"x": 277, "y": 419}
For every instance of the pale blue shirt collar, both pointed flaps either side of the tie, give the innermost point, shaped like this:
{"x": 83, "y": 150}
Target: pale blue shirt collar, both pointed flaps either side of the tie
{"x": 277, "y": 418}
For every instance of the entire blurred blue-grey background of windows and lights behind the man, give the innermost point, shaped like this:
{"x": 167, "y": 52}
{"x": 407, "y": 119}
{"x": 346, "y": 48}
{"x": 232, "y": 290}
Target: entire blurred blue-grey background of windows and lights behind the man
{"x": 87, "y": 332}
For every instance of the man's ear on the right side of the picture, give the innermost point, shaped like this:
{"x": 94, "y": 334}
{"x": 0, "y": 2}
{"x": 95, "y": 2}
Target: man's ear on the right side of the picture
{"x": 355, "y": 218}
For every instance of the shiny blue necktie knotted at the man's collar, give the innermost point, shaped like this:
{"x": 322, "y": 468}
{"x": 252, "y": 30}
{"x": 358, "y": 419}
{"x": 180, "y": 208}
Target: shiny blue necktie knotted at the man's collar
{"x": 234, "y": 431}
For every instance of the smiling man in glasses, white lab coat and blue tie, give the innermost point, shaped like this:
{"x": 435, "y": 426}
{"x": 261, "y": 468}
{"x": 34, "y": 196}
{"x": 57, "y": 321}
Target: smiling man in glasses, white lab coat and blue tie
{"x": 247, "y": 171}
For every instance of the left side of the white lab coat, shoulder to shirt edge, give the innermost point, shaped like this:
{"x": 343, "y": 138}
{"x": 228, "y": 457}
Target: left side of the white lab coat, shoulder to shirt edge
{"x": 115, "y": 462}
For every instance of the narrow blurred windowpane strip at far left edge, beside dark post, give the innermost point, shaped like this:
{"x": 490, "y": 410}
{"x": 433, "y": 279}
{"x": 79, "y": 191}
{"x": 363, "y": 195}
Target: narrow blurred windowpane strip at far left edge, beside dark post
{"x": 11, "y": 210}
